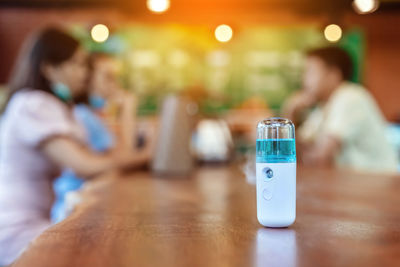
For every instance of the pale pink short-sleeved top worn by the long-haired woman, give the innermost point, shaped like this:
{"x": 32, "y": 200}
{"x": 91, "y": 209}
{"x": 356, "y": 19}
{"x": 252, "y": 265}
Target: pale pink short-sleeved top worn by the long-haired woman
{"x": 26, "y": 175}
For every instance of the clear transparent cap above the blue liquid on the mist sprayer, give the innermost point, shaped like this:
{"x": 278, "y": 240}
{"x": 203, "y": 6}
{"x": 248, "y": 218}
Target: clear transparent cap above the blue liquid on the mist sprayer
{"x": 275, "y": 128}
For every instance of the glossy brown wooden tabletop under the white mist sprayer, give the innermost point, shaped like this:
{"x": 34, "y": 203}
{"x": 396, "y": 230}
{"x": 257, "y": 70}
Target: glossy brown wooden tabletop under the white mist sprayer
{"x": 209, "y": 219}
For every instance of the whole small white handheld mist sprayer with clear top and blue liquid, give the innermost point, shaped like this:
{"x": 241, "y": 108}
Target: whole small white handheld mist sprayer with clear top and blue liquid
{"x": 276, "y": 172}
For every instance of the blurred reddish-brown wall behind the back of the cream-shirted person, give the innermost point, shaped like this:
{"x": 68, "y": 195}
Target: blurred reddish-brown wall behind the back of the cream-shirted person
{"x": 381, "y": 73}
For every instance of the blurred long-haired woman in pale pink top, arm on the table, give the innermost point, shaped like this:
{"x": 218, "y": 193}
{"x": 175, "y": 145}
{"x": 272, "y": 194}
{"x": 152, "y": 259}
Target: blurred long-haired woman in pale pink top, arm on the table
{"x": 40, "y": 136}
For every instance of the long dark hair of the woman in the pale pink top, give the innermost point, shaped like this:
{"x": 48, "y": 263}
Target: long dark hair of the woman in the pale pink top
{"x": 52, "y": 46}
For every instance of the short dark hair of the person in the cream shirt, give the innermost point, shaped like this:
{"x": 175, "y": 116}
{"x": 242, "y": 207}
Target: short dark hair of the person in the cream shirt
{"x": 335, "y": 57}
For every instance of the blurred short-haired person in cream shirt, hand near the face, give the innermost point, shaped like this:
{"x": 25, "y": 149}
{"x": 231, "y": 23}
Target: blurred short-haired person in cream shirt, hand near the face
{"x": 340, "y": 123}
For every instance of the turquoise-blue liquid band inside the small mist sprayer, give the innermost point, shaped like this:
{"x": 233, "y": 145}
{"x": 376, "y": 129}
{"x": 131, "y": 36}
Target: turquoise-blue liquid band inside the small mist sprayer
{"x": 275, "y": 150}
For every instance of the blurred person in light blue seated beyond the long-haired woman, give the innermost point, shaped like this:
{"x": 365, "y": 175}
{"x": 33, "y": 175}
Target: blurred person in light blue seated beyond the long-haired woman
{"x": 104, "y": 91}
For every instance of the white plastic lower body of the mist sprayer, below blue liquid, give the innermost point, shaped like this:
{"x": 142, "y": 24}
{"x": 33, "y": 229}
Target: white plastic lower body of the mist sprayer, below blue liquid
{"x": 276, "y": 196}
